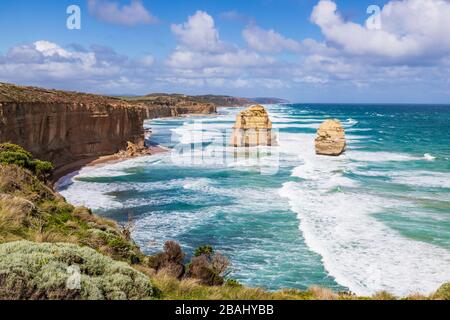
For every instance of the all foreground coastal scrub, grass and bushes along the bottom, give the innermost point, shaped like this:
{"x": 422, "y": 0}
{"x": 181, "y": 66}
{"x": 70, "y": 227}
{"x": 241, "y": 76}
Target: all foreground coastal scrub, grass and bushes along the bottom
{"x": 42, "y": 237}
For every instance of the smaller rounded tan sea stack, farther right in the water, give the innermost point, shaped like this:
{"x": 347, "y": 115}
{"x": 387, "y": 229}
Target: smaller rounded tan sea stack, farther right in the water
{"x": 330, "y": 139}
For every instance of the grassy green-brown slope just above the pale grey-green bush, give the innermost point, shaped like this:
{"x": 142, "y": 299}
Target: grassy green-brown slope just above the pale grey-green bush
{"x": 30, "y": 210}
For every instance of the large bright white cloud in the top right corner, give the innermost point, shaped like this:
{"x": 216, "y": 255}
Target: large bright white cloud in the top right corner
{"x": 409, "y": 29}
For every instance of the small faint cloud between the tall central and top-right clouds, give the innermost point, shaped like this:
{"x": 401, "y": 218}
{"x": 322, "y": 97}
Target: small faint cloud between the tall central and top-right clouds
{"x": 268, "y": 40}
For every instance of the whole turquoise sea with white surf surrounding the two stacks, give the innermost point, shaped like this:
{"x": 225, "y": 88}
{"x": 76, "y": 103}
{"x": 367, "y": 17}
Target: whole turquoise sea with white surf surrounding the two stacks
{"x": 376, "y": 218}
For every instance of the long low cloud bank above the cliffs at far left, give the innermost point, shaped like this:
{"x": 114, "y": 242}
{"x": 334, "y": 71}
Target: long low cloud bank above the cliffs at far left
{"x": 98, "y": 69}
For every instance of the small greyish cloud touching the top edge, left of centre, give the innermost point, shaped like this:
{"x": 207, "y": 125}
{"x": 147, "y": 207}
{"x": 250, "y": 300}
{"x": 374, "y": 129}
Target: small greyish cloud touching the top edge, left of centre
{"x": 128, "y": 15}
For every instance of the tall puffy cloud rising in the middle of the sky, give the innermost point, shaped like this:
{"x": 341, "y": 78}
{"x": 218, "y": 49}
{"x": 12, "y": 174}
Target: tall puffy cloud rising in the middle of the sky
{"x": 202, "y": 59}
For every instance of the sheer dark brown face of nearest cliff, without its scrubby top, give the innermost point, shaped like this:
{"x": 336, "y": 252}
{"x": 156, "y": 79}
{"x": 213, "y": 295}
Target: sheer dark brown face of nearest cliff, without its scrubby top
{"x": 68, "y": 132}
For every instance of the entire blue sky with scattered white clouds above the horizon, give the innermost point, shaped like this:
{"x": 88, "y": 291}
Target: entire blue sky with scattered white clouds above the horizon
{"x": 301, "y": 50}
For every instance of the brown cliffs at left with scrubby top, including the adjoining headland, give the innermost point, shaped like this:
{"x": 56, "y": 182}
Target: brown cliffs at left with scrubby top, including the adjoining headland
{"x": 71, "y": 129}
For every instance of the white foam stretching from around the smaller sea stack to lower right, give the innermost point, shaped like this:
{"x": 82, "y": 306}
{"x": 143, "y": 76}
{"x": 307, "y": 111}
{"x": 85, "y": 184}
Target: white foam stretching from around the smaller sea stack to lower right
{"x": 338, "y": 222}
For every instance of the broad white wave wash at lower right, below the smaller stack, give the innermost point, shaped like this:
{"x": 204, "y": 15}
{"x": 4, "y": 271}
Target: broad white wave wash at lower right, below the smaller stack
{"x": 358, "y": 250}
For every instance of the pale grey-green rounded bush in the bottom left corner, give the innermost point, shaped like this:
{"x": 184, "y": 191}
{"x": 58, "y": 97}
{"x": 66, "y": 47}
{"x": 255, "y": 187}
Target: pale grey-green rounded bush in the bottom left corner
{"x": 39, "y": 271}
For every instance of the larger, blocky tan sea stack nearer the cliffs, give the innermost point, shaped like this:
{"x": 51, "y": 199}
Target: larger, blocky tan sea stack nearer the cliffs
{"x": 253, "y": 128}
